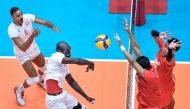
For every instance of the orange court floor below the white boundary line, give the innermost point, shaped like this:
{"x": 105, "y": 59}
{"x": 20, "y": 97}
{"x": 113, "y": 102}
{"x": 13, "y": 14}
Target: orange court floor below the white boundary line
{"x": 106, "y": 84}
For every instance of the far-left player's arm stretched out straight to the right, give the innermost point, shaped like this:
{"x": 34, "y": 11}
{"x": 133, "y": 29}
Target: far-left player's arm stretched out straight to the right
{"x": 46, "y": 23}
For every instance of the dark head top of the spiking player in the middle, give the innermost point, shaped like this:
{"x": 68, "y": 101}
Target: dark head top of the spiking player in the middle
{"x": 62, "y": 47}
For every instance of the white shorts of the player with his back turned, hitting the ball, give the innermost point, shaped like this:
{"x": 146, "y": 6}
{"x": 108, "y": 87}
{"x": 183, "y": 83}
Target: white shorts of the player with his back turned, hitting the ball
{"x": 61, "y": 101}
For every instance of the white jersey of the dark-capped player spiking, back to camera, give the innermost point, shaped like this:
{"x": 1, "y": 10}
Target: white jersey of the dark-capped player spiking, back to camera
{"x": 56, "y": 70}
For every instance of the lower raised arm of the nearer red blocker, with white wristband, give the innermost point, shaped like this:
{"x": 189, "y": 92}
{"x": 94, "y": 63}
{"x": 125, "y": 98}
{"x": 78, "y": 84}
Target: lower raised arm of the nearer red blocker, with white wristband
{"x": 129, "y": 57}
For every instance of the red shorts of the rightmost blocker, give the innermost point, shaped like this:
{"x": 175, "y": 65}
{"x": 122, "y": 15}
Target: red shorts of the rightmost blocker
{"x": 166, "y": 97}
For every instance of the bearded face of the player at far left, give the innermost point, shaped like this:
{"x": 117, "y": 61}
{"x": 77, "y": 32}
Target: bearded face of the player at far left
{"x": 18, "y": 18}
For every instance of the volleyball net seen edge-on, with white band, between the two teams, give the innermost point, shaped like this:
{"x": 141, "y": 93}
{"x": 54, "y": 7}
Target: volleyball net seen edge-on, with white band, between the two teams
{"x": 130, "y": 82}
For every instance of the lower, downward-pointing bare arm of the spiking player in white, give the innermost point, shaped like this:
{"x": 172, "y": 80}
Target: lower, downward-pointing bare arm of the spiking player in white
{"x": 78, "y": 89}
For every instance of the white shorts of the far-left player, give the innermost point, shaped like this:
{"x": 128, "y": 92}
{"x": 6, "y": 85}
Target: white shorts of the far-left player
{"x": 23, "y": 57}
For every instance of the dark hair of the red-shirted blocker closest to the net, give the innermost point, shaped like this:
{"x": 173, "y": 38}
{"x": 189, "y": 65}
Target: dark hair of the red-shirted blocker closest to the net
{"x": 144, "y": 62}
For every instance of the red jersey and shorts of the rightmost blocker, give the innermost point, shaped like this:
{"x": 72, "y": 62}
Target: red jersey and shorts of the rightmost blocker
{"x": 164, "y": 70}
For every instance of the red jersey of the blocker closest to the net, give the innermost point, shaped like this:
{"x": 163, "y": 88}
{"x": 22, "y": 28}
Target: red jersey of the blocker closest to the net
{"x": 149, "y": 94}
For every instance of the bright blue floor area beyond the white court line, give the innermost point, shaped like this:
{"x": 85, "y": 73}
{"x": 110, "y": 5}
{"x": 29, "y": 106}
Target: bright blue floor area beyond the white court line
{"x": 81, "y": 21}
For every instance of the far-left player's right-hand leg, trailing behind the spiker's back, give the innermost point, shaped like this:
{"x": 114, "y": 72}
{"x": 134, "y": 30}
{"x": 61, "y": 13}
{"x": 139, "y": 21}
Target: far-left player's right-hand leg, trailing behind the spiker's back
{"x": 39, "y": 60}
